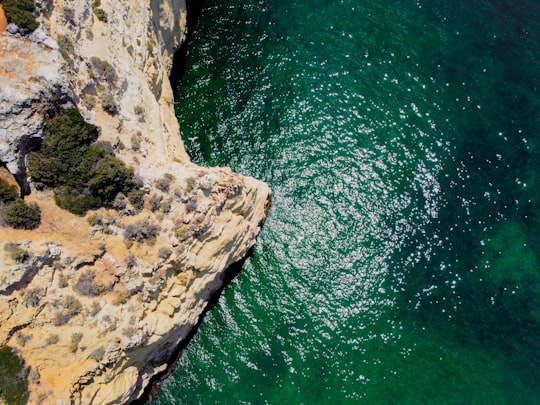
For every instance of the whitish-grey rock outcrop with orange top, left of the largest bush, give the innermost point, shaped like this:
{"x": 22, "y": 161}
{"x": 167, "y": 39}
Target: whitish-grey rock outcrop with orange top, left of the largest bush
{"x": 33, "y": 87}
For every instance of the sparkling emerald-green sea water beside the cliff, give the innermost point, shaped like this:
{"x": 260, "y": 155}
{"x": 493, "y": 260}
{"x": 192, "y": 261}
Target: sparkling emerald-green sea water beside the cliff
{"x": 399, "y": 263}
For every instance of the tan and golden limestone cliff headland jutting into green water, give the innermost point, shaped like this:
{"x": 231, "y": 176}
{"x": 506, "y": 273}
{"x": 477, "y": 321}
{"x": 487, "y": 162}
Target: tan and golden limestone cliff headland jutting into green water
{"x": 92, "y": 313}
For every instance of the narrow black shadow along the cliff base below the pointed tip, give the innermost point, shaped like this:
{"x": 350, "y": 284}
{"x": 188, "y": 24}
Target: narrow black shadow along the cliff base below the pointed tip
{"x": 154, "y": 387}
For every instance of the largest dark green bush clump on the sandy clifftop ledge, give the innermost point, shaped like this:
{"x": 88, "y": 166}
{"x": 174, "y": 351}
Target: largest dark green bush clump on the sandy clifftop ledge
{"x": 84, "y": 174}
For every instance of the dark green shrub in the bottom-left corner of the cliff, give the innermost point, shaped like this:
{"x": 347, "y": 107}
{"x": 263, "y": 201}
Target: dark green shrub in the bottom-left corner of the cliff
{"x": 13, "y": 373}
